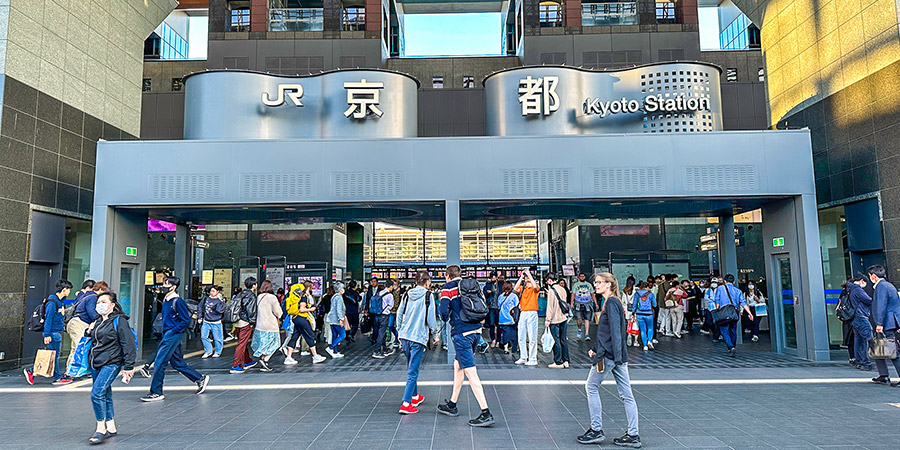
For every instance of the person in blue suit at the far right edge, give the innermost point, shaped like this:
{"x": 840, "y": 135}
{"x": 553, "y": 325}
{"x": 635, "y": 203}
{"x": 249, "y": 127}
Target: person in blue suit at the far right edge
{"x": 886, "y": 316}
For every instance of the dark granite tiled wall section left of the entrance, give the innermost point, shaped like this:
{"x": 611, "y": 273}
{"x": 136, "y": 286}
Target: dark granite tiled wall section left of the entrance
{"x": 47, "y": 154}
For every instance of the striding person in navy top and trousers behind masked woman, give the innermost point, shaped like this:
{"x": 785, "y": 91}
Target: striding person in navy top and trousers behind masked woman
{"x": 176, "y": 318}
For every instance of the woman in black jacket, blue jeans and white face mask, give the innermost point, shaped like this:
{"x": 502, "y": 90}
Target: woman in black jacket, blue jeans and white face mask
{"x": 113, "y": 350}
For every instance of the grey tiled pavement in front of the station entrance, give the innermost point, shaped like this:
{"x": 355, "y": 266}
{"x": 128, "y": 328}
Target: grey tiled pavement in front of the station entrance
{"x": 681, "y": 406}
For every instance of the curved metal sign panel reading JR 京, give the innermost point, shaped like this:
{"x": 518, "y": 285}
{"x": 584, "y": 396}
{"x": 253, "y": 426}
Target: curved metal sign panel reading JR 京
{"x": 229, "y": 104}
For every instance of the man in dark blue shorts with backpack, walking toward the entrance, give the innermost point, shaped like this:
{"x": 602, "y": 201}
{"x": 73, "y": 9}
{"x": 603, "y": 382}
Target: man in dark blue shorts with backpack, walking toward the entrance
{"x": 465, "y": 338}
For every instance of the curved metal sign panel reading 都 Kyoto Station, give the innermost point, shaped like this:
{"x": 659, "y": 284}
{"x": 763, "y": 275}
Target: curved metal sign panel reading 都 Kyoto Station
{"x": 656, "y": 98}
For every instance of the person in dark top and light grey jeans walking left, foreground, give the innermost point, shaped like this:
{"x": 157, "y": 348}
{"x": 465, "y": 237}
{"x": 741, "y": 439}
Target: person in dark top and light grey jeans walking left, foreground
{"x": 610, "y": 355}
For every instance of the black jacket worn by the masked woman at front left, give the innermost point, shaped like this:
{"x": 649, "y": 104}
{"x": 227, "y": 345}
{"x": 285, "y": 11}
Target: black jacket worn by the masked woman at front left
{"x": 112, "y": 345}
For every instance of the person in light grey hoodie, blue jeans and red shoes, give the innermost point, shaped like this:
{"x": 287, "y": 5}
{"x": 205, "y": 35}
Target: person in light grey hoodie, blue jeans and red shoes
{"x": 415, "y": 318}
